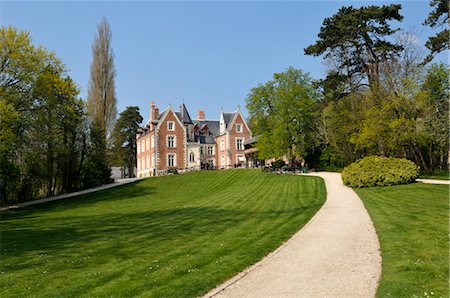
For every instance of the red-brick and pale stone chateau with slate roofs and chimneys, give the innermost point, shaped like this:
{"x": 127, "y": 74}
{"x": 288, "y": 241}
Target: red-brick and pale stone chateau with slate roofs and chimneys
{"x": 172, "y": 140}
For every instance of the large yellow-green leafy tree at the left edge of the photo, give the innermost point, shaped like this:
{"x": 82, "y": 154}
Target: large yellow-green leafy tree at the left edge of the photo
{"x": 42, "y": 122}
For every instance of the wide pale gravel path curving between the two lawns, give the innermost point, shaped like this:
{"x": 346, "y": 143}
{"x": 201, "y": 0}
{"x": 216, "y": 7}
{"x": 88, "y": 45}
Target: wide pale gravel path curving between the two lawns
{"x": 335, "y": 255}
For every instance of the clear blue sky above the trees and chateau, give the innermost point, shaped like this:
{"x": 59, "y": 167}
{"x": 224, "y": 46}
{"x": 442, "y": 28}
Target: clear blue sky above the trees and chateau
{"x": 207, "y": 54}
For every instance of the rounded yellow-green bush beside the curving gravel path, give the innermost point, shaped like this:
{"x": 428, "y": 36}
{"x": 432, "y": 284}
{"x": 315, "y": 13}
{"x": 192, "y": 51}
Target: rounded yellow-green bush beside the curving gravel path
{"x": 380, "y": 171}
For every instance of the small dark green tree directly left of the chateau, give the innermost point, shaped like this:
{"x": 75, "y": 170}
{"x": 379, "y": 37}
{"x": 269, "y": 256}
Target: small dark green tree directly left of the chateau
{"x": 125, "y": 138}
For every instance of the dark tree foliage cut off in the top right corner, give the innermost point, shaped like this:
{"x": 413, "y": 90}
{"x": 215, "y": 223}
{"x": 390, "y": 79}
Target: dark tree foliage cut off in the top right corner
{"x": 439, "y": 17}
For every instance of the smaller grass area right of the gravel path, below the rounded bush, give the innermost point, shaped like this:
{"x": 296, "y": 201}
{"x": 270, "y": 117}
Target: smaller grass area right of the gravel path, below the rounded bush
{"x": 412, "y": 223}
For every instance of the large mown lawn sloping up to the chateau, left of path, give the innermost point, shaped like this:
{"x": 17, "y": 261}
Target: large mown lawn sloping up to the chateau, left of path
{"x": 174, "y": 236}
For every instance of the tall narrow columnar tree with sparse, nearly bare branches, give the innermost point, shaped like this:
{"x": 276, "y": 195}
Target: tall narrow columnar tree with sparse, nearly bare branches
{"x": 101, "y": 101}
